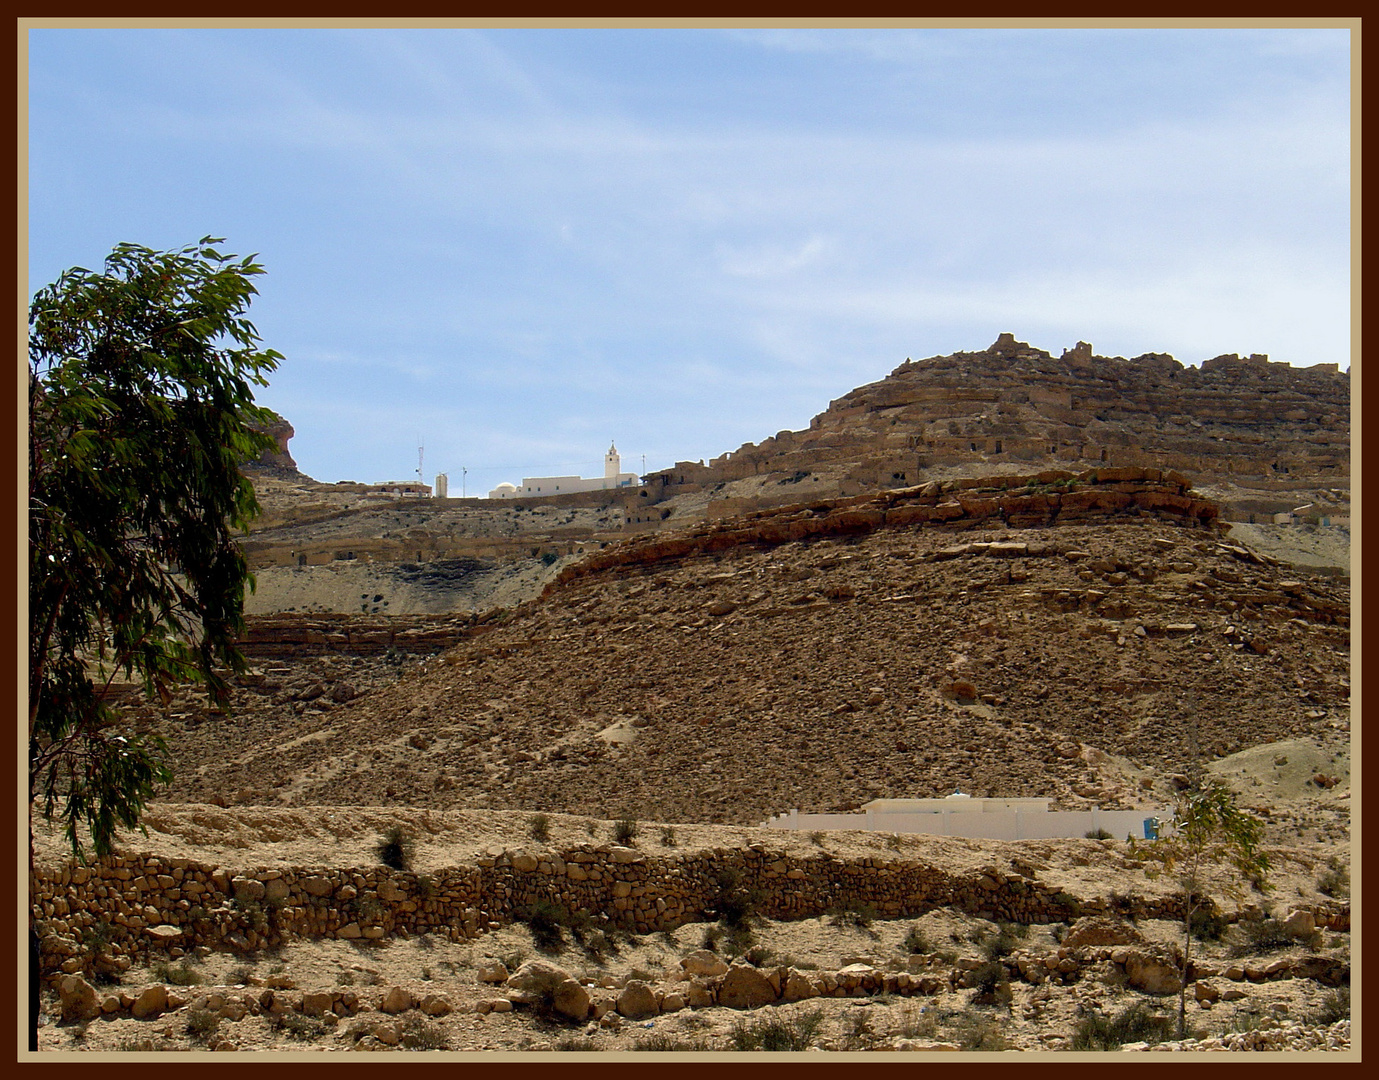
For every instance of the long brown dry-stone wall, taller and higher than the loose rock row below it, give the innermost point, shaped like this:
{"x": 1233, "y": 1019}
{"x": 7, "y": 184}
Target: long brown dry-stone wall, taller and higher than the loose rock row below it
{"x": 144, "y": 906}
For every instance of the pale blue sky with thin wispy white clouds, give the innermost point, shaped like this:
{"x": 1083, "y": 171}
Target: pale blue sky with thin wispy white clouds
{"x": 514, "y": 246}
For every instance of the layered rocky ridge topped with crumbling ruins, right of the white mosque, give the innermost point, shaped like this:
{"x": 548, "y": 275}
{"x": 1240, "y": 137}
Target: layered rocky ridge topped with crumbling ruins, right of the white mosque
{"x": 1013, "y": 406}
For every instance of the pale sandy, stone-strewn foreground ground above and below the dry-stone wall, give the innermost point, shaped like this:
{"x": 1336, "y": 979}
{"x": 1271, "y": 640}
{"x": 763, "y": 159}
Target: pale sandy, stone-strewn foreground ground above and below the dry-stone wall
{"x": 860, "y": 983}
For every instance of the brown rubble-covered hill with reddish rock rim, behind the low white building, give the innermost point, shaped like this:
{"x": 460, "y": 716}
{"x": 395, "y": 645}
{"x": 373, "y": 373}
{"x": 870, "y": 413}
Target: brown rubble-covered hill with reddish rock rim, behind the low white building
{"x": 817, "y": 657}
